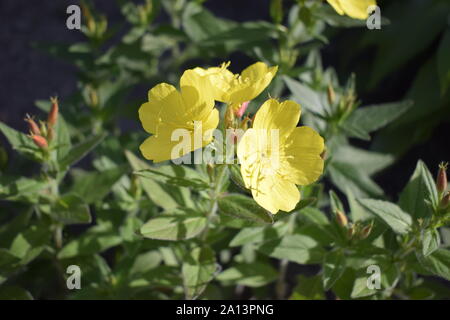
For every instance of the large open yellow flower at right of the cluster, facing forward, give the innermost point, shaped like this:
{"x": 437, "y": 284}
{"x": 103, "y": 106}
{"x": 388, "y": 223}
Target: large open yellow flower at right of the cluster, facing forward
{"x": 275, "y": 156}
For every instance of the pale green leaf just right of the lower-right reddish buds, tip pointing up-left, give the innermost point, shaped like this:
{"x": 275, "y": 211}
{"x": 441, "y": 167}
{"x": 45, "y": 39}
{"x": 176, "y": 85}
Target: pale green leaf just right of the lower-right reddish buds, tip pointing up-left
{"x": 399, "y": 221}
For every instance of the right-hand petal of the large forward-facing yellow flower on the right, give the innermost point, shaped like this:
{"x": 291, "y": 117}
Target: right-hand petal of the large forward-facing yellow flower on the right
{"x": 303, "y": 163}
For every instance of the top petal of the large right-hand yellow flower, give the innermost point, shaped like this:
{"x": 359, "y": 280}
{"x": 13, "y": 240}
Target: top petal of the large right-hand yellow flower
{"x": 279, "y": 116}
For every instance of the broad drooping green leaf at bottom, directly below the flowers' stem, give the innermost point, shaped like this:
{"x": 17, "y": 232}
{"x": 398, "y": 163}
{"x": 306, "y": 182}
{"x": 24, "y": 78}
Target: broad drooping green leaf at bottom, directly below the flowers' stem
{"x": 198, "y": 270}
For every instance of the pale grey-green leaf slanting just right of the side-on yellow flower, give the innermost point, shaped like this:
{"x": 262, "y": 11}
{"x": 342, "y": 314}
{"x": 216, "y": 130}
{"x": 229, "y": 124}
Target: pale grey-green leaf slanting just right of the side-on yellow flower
{"x": 307, "y": 97}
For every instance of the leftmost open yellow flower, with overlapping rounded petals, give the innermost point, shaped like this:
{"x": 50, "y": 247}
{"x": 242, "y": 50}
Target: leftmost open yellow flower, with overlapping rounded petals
{"x": 191, "y": 109}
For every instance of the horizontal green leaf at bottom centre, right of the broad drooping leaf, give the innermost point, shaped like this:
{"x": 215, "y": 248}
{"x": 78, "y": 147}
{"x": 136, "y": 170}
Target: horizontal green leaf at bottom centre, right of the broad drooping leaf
{"x": 252, "y": 275}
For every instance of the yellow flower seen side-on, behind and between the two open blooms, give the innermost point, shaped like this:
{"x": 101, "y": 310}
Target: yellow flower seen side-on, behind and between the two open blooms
{"x": 235, "y": 89}
